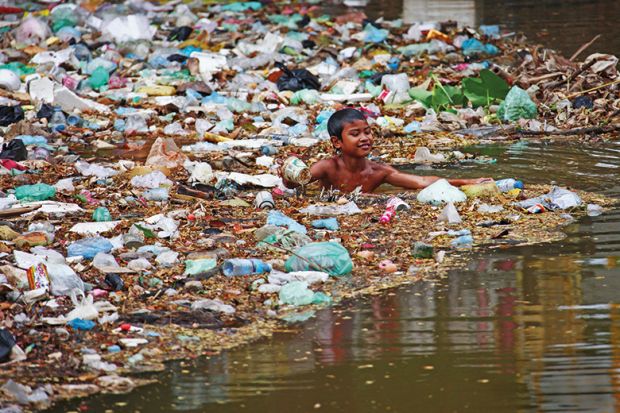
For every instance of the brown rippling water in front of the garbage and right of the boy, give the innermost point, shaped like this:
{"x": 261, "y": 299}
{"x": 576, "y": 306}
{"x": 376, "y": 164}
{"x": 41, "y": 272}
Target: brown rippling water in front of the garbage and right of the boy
{"x": 523, "y": 329}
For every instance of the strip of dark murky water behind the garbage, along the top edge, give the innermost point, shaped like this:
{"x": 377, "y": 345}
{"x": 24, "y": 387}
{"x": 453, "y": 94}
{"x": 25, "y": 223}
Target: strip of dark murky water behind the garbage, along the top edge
{"x": 564, "y": 25}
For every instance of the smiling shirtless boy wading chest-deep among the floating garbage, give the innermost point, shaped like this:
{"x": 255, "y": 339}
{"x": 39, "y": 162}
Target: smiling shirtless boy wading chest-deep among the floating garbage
{"x": 350, "y": 168}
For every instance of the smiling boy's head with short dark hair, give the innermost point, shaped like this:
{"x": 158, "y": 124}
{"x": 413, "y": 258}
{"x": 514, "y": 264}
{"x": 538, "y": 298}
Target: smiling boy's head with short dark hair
{"x": 350, "y": 133}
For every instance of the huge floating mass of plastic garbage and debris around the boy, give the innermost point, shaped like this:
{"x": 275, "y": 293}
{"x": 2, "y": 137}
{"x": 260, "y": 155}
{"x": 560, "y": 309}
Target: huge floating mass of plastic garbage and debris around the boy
{"x": 142, "y": 213}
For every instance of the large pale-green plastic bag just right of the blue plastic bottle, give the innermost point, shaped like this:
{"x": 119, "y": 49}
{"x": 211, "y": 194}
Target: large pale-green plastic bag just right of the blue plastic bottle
{"x": 330, "y": 257}
